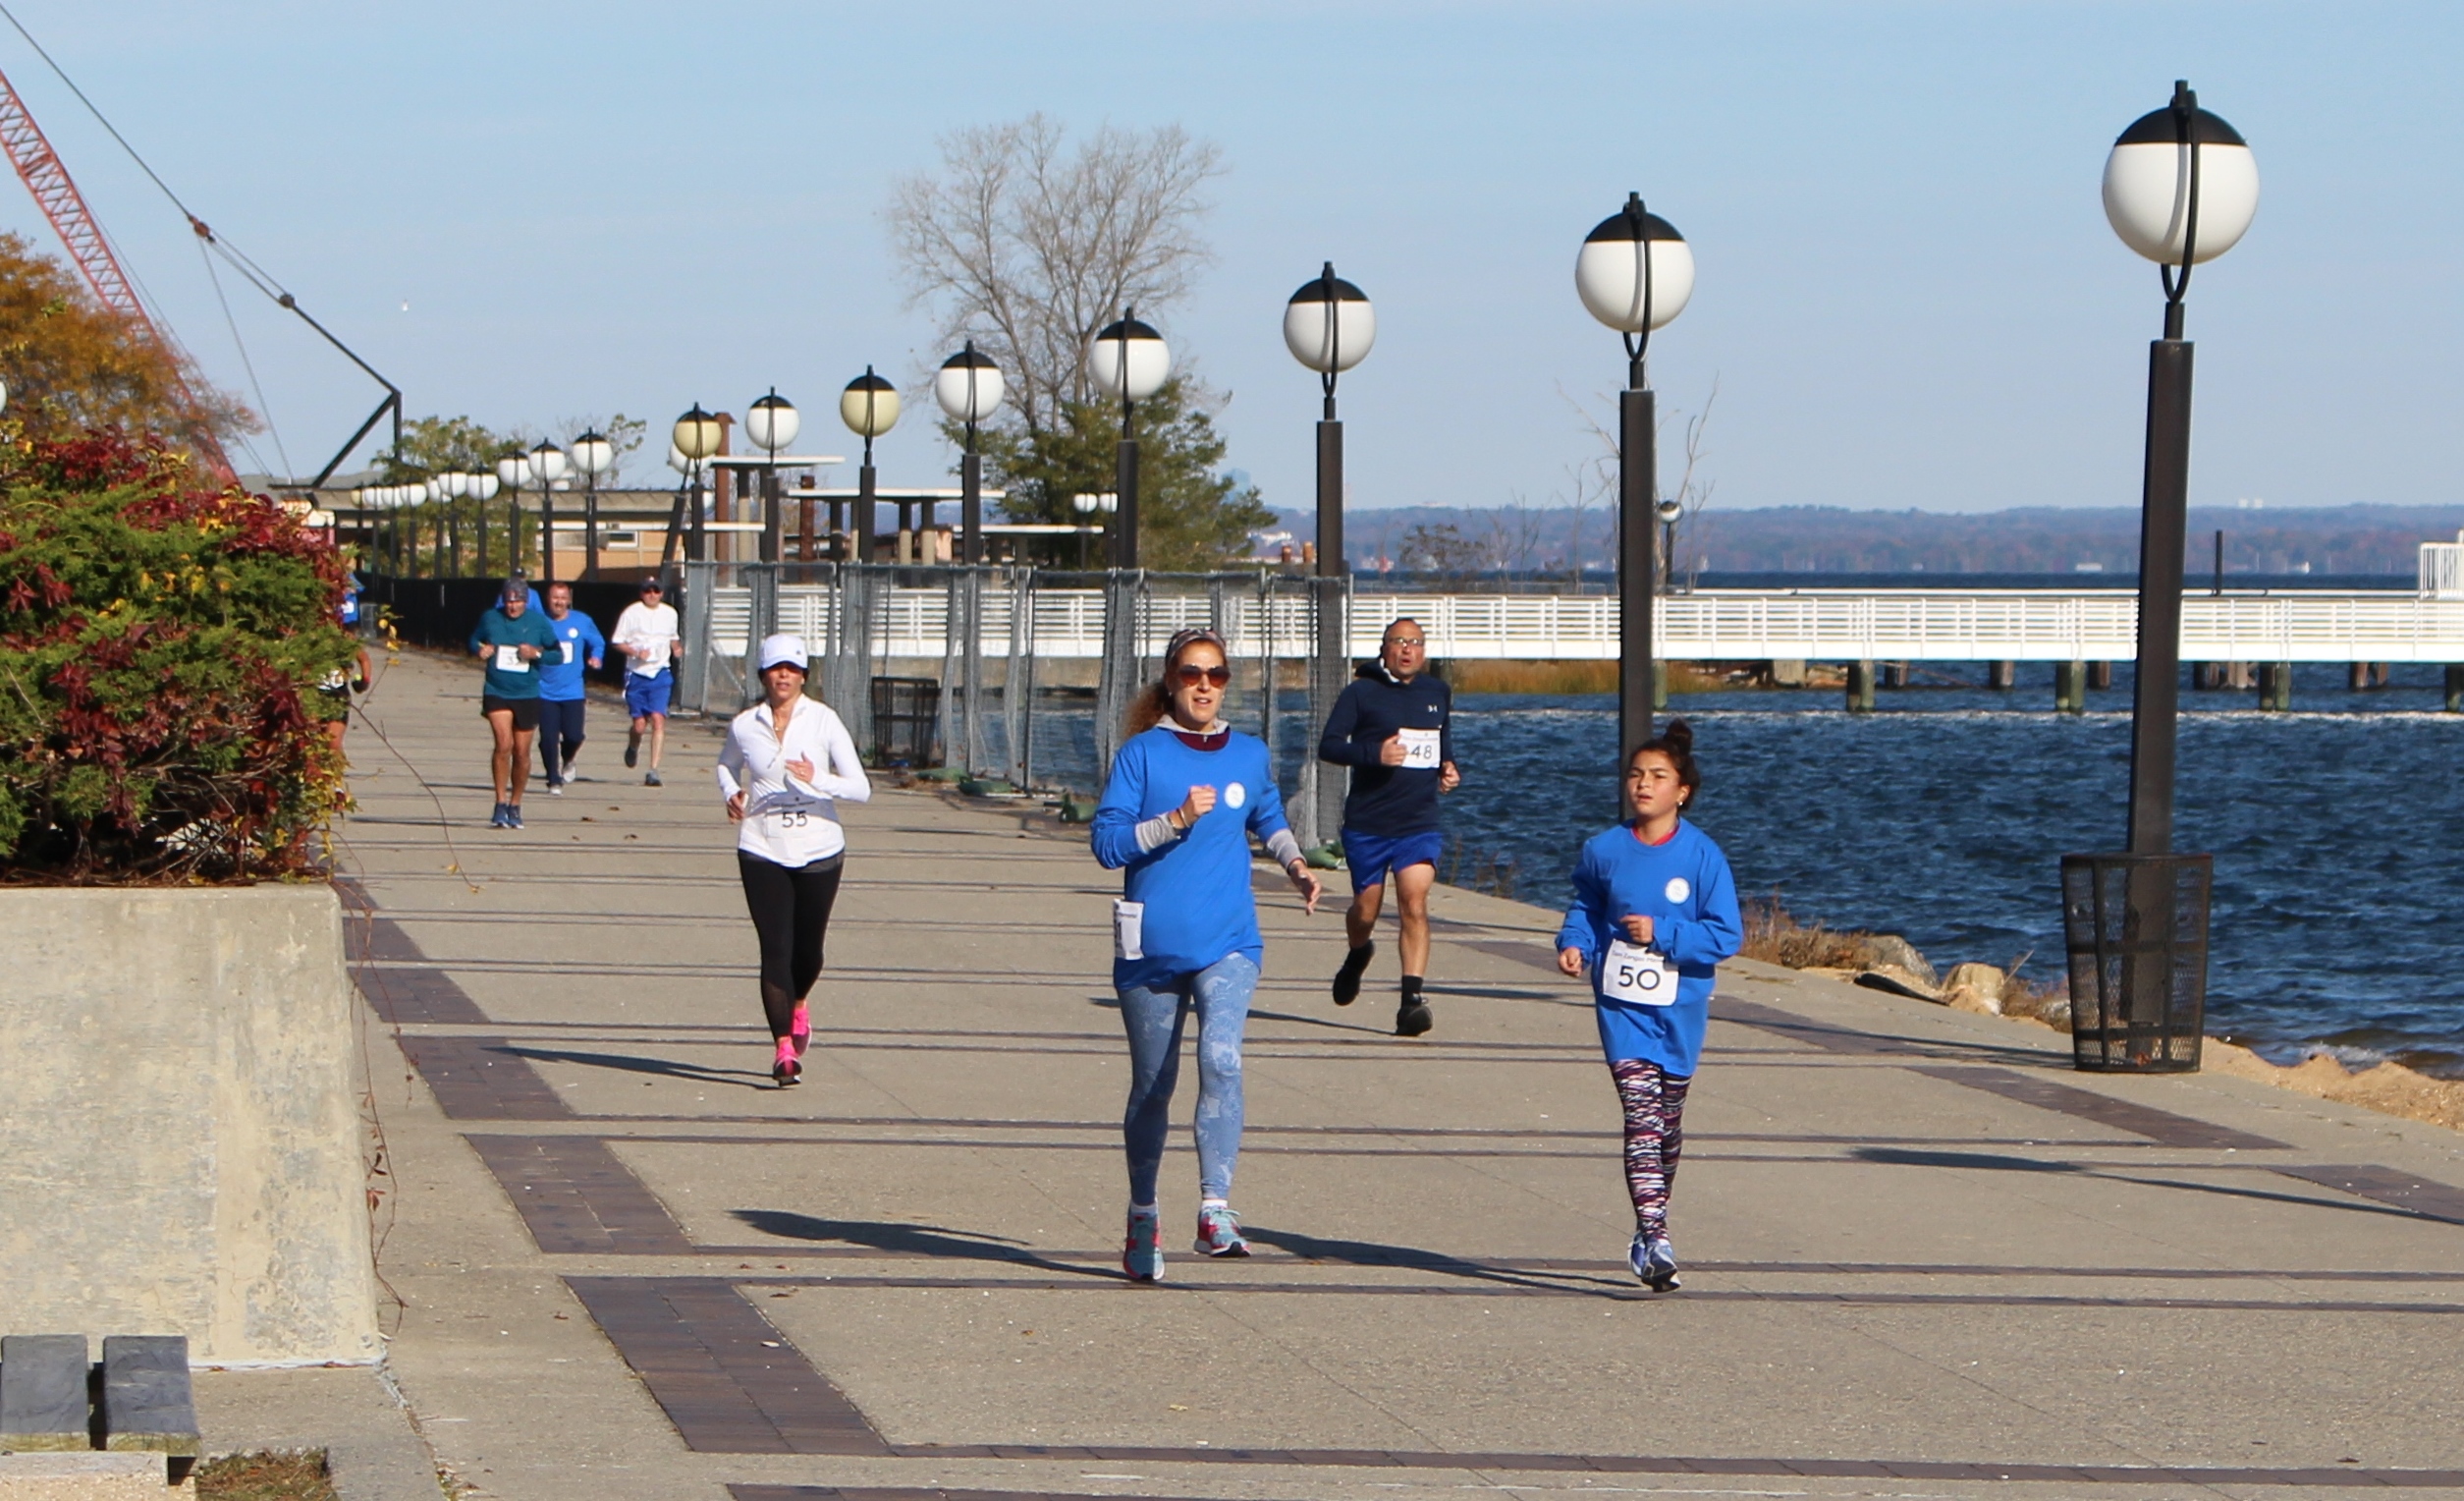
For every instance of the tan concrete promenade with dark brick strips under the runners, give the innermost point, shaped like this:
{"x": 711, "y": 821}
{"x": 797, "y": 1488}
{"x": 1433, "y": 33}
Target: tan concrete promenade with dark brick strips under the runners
{"x": 1923, "y": 1256}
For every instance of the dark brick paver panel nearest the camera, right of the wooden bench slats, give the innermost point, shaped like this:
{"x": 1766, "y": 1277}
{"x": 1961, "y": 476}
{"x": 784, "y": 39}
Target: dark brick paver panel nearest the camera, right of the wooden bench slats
{"x": 726, "y": 1377}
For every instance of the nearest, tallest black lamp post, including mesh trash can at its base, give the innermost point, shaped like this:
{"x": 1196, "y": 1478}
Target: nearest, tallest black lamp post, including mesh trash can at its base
{"x": 2179, "y": 189}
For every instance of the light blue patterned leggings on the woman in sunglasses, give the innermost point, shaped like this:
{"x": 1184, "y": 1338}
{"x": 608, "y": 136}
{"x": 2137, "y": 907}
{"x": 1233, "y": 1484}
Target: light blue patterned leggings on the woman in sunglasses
{"x": 1154, "y": 1017}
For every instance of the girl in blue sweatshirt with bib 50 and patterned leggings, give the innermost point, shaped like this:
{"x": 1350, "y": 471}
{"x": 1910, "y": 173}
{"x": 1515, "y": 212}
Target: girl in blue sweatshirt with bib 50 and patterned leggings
{"x": 1655, "y": 916}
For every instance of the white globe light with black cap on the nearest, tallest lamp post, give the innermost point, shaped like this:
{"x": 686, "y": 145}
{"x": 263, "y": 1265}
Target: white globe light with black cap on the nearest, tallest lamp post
{"x": 2147, "y": 184}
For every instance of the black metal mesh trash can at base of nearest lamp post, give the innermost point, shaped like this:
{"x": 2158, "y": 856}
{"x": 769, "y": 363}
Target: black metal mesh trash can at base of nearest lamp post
{"x": 2138, "y": 938}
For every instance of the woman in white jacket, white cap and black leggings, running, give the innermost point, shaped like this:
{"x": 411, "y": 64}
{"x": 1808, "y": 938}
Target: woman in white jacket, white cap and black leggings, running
{"x": 785, "y": 770}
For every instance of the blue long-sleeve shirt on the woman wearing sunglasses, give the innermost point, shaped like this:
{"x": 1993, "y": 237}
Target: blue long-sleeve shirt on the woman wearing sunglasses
{"x": 1196, "y": 889}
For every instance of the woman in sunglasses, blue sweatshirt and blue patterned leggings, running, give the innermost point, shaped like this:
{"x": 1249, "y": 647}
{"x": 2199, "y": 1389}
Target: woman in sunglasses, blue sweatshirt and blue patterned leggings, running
{"x": 1184, "y": 800}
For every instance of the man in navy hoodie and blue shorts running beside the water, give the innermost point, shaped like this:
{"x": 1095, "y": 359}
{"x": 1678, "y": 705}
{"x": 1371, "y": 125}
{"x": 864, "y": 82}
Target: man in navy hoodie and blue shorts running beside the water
{"x": 1393, "y": 728}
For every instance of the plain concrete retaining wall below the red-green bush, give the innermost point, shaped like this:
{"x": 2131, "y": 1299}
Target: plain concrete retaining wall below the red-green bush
{"x": 181, "y": 1130}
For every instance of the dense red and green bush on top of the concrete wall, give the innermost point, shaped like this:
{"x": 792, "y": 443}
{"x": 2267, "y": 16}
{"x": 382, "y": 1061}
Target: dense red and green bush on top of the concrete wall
{"x": 161, "y": 647}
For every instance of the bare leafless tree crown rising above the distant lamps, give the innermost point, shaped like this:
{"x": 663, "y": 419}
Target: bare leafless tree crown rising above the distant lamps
{"x": 1029, "y": 248}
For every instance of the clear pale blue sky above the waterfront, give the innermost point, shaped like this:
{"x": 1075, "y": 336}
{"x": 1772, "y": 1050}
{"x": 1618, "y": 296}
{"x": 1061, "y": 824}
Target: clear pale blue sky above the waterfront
{"x": 1908, "y": 295}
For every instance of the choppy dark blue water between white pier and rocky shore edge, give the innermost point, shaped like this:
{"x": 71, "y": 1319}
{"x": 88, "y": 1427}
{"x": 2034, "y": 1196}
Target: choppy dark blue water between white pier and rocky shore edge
{"x": 2337, "y": 832}
